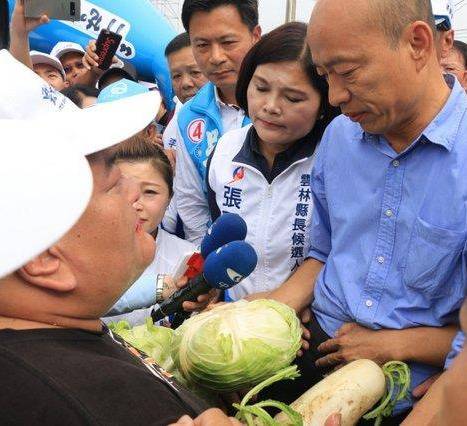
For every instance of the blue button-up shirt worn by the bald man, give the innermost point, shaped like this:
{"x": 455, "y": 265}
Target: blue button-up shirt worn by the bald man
{"x": 392, "y": 227}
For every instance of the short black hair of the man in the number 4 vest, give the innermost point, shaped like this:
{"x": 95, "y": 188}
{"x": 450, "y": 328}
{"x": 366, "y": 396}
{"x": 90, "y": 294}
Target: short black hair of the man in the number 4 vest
{"x": 248, "y": 10}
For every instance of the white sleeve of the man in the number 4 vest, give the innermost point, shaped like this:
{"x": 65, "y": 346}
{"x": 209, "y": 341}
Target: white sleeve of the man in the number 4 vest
{"x": 192, "y": 205}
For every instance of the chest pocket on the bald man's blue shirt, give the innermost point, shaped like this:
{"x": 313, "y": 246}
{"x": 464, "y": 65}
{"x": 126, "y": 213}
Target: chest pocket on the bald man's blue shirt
{"x": 431, "y": 258}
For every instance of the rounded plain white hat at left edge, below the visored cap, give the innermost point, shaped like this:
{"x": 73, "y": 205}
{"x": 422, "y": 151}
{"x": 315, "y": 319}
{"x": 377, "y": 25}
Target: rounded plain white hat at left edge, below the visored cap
{"x": 44, "y": 188}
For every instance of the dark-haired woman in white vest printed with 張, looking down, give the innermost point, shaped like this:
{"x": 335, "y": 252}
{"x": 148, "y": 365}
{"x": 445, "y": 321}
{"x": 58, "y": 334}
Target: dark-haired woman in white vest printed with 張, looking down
{"x": 262, "y": 171}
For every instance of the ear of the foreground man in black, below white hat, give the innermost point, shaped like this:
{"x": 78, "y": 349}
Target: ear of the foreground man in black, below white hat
{"x": 49, "y": 271}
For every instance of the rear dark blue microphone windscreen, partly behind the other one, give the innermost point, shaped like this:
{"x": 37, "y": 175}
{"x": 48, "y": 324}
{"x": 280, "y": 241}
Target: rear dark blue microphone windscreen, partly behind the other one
{"x": 226, "y": 228}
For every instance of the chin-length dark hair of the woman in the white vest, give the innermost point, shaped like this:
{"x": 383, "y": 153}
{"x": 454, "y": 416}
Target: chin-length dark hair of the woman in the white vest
{"x": 283, "y": 44}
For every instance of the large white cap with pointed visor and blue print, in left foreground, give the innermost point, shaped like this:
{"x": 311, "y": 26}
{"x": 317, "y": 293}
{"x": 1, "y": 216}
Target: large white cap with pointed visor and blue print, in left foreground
{"x": 93, "y": 129}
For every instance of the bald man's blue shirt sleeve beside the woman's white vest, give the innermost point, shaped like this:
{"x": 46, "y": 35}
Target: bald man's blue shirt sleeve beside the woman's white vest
{"x": 320, "y": 229}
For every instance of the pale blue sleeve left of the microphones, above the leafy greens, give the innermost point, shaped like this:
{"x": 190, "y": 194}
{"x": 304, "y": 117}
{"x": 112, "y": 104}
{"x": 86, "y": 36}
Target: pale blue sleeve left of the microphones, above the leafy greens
{"x": 141, "y": 294}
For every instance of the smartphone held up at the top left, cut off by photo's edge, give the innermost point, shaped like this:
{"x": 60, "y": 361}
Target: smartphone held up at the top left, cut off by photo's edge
{"x": 64, "y": 10}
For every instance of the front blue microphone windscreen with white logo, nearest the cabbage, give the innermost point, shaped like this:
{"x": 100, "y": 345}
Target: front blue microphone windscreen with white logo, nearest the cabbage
{"x": 228, "y": 265}
